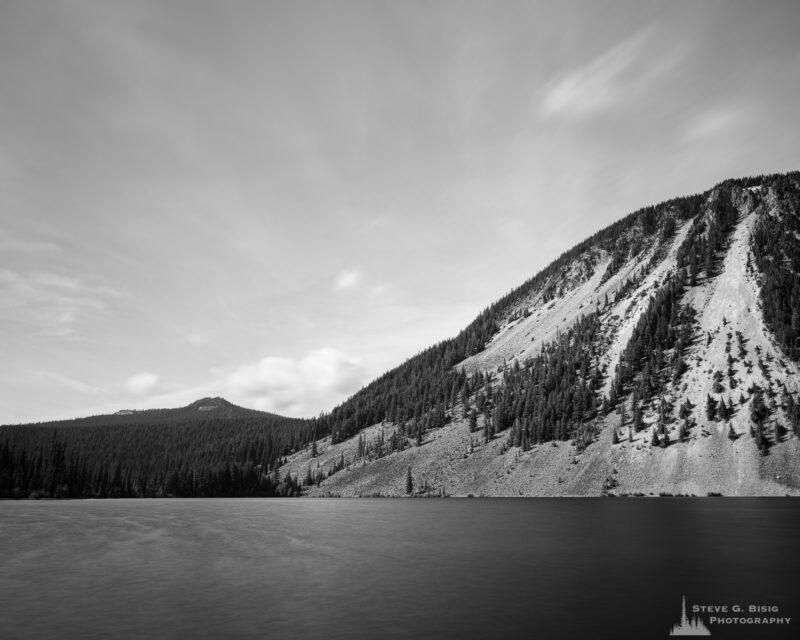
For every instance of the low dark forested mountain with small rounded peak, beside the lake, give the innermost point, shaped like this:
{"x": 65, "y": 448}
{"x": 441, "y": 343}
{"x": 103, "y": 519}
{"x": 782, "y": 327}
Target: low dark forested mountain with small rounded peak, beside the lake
{"x": 208, "y": 448}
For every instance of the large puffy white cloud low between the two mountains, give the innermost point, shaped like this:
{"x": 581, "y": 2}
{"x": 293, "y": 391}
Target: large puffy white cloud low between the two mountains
{"x": 317, "y": 382}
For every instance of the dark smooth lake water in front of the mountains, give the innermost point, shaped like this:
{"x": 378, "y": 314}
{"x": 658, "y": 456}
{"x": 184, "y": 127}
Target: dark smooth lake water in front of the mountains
{"x": 328, "y": 569}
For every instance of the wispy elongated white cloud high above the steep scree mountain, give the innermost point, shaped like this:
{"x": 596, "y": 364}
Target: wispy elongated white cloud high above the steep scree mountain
{"x": 607, "y": 81}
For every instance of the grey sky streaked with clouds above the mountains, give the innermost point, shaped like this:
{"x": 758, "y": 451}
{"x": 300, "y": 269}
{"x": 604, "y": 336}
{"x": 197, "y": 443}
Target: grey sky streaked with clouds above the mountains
{"x": 276, "y": 202}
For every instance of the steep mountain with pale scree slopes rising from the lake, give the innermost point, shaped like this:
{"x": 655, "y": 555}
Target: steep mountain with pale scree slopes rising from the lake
{"x": 658, "y": 356}
